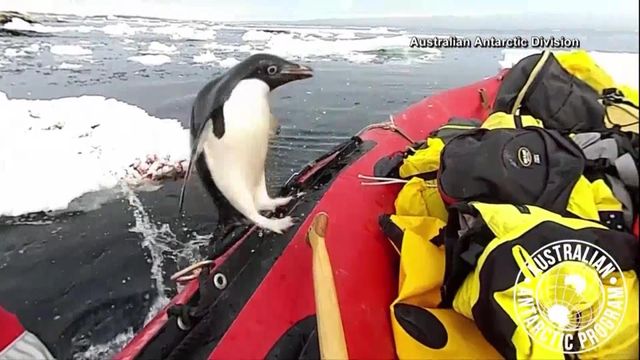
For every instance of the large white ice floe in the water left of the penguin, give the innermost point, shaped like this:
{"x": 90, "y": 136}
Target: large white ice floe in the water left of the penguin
{"x": 54, "y": 151}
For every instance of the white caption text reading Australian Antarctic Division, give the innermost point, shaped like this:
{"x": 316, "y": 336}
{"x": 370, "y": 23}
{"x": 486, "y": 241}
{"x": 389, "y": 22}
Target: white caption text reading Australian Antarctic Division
{"x": 556, "y": 42}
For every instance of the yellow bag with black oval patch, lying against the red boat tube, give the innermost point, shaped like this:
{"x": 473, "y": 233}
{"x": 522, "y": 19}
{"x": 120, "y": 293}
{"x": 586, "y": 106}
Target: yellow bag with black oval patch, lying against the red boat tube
{"x": 422, "y": 330}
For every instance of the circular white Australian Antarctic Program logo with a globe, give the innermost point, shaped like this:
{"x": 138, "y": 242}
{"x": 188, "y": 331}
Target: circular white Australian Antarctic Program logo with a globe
{"x": 570, "y": 296}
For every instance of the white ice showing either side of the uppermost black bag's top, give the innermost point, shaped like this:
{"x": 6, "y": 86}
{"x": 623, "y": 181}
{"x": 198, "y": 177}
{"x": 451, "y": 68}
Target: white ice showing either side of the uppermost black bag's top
{"x": 622, "y": 67}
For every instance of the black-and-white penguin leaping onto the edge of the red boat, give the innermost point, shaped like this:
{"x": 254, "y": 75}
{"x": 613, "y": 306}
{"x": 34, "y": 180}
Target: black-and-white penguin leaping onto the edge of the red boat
{"x": 231, "y": 123}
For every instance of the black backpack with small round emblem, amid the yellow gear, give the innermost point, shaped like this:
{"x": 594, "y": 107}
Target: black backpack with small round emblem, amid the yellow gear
{"x": 521, "y": 166}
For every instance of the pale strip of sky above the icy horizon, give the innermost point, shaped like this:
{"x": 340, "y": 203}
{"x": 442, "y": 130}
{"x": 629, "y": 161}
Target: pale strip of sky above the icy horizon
{"x": 317, "y": 9}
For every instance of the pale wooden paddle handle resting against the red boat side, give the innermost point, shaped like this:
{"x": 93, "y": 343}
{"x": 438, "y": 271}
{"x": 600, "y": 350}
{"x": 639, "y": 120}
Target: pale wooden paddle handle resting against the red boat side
{"x": 330, "y": 331}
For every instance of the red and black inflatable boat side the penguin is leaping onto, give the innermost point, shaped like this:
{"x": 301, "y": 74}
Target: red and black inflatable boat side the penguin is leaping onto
{"x": 260, "y": 293}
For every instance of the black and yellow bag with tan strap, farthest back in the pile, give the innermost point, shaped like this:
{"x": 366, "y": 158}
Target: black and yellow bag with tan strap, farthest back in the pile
{"x": 568, "y": 92}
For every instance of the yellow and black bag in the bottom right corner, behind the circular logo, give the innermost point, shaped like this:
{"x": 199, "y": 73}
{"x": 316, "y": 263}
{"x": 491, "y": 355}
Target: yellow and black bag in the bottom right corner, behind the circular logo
{"x": 539, "y": 285}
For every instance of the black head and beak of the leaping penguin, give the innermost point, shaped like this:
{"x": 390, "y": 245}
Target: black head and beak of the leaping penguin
{"x": 274, "y": 70}
